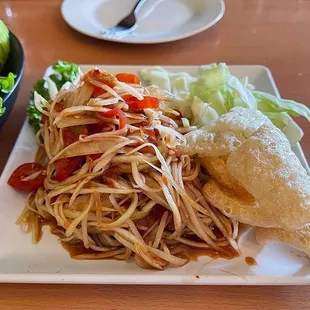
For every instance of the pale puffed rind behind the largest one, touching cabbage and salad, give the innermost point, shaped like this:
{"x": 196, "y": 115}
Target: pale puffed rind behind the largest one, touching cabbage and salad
{"x": 224, "y": 135}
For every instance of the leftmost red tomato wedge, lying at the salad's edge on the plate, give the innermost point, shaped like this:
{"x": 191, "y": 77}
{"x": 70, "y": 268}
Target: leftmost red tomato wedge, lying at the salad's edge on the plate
{"x": 26, "y": 170}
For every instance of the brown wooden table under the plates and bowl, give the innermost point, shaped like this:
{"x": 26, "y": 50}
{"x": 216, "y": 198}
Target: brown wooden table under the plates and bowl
{"x": 274, "y": 33}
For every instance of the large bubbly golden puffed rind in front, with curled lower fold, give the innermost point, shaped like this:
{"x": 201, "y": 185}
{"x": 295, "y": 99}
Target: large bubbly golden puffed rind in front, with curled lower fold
{"x": 271, "y": 173}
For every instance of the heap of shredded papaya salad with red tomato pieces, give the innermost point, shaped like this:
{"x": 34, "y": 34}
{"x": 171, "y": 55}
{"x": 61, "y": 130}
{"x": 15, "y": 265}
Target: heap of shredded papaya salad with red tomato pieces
{"x": 108, "y": 175}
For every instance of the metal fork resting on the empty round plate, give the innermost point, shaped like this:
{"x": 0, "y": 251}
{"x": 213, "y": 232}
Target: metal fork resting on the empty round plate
{"x": 126, "y": 25}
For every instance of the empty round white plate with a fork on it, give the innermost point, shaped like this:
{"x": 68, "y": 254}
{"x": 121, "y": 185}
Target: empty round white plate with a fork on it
{"x": 158, "y": 20}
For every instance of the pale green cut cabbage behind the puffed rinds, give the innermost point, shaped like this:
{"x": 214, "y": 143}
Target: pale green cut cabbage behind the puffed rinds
{"x": 213, "y": 91}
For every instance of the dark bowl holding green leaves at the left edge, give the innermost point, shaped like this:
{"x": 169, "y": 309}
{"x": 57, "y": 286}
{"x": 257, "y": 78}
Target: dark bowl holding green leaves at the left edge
{"x": 14, "y": 64}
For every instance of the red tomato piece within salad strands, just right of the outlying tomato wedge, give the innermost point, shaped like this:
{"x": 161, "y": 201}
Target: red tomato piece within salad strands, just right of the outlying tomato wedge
{"x": 65, "y": 167}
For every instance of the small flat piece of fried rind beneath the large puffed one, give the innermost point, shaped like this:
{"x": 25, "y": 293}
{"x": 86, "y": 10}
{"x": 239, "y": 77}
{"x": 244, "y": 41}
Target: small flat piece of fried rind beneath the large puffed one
{"x": 299, "y": 239}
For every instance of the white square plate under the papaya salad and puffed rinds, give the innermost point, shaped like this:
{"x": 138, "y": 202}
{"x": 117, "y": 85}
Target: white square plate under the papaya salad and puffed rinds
{"x": 48, "y": 262}
